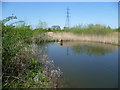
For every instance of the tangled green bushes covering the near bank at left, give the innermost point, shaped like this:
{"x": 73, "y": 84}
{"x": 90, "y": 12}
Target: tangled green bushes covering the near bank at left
{"x": 19, "y": 65}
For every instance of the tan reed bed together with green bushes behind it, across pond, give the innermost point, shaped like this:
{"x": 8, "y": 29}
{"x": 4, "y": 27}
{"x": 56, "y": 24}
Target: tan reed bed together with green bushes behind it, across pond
{"x": 95, "y": 33}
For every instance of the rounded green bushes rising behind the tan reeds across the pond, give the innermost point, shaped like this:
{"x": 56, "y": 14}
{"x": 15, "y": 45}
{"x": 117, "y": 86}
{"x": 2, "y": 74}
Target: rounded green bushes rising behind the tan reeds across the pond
{"x": 91, "y": 29}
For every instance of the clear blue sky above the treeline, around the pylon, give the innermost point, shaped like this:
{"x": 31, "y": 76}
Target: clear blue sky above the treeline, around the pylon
{"x": 54, "y": 13}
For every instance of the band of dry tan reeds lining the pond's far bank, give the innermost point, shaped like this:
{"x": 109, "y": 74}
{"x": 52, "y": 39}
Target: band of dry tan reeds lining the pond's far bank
{"x": 108, "y": 38}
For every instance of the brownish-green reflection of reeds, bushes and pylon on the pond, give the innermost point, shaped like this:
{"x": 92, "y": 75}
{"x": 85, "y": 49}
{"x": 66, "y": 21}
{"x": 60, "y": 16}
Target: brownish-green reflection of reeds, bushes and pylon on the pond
{"x": 90, "y": 48}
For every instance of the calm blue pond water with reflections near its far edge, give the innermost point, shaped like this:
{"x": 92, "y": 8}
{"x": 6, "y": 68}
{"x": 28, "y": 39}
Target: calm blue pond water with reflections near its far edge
{"x": 85, "y": 64}
